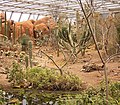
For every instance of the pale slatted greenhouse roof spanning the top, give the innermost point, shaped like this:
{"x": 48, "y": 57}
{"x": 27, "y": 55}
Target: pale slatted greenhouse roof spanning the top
{"x": 55, "y": 7}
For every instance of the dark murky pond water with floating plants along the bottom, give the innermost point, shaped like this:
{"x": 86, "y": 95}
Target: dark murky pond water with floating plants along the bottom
{"x": 35, "y": 97}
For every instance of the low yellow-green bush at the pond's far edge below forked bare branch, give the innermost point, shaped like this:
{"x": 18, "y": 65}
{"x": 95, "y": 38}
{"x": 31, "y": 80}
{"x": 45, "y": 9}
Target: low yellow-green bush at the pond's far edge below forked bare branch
{"x": 49, "y": 79}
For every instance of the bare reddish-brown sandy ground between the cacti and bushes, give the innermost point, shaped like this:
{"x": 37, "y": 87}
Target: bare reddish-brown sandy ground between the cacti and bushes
{"x": 92, "y": 78}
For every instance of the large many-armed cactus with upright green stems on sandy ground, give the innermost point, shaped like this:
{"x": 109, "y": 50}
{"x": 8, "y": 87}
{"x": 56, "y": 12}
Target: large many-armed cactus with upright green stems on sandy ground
{"x": 72, "y": 37}
